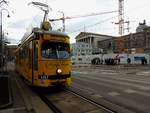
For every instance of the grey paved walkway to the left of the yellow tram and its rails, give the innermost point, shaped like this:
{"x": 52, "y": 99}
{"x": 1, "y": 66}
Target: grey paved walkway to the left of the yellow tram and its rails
{"x": 24, "y": 99}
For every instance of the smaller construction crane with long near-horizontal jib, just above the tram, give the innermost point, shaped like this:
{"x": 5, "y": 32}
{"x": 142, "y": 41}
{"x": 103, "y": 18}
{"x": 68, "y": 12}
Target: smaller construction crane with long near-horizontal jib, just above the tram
{"x": 78, "y": 16}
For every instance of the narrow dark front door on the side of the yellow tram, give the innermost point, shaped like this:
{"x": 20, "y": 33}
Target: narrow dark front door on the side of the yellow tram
{"x": 35, "y": 60}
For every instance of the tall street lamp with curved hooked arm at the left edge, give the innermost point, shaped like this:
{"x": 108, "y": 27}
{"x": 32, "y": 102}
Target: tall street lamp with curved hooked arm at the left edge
{"x": 1, "y": 34}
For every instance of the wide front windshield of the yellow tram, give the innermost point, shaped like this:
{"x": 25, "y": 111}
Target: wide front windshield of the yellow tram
{"x": 55, "y": 50}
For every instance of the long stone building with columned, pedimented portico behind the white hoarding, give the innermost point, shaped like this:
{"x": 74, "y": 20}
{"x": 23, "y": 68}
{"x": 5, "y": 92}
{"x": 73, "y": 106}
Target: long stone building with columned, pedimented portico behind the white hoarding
{"x": 138, "y": 42}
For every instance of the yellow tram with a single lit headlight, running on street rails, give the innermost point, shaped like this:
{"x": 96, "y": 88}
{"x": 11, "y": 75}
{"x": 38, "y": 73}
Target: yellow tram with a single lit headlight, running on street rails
{"x": 43, "y": 57}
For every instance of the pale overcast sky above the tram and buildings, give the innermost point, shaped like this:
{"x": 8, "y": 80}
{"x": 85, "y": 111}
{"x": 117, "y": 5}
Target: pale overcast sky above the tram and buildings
{"x": 24, "y": 15}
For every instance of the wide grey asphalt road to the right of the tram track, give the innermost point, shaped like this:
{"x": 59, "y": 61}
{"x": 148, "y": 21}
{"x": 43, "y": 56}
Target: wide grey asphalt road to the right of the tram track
{"x": 128, "y": 88}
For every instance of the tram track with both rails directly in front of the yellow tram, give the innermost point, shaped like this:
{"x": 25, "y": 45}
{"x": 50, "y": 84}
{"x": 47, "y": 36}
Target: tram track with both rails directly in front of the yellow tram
{"x": 69, "y": 101}
